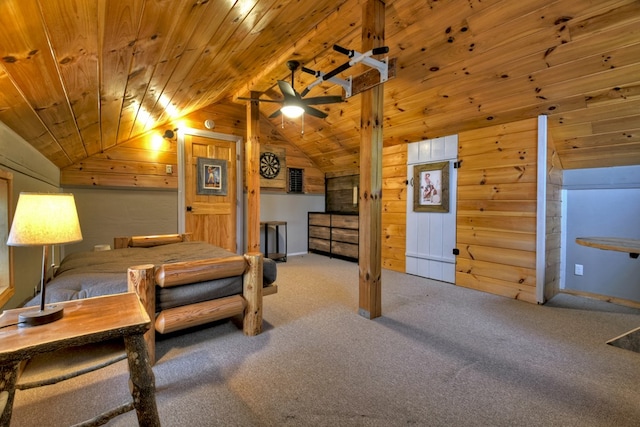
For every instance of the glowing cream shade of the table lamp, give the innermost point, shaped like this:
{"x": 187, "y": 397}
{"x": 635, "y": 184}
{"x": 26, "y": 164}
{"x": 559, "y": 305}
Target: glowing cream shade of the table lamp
{"x": 45, "y": 219}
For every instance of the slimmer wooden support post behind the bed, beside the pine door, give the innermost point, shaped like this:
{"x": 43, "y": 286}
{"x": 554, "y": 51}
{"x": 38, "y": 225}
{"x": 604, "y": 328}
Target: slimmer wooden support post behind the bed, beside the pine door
{"x": 252, "y": 162}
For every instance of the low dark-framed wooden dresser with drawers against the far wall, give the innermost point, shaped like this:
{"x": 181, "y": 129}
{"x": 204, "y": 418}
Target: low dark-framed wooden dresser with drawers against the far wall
{"x": 334, "y": 234}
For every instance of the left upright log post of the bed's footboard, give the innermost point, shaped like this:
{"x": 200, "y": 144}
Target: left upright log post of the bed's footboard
{"x": 140, "y": 279}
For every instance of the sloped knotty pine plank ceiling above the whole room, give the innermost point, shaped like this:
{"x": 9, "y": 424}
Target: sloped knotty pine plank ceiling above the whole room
{"x": 80, "y": 76}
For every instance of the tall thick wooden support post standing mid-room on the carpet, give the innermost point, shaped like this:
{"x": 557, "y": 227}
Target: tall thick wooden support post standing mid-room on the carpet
{"x": 370, "y": 256}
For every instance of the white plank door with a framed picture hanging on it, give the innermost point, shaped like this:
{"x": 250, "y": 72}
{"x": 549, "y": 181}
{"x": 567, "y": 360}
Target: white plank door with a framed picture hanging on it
{"x": 431, "y": 236}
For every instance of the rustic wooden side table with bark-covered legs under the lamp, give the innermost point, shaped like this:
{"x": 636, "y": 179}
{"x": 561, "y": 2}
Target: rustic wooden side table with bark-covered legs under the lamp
{"x": 85, "y": 321}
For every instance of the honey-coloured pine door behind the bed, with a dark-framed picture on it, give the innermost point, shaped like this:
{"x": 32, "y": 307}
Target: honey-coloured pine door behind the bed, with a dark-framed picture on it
{"x": 210, "y": 217}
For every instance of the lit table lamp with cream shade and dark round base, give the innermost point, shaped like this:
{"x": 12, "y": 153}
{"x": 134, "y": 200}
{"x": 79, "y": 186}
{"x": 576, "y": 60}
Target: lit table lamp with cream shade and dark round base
{"x": 40, "y": 220}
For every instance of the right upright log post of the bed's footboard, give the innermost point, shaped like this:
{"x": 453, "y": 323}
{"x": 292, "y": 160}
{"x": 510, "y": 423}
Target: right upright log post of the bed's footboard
{"x": 252, "y": 292}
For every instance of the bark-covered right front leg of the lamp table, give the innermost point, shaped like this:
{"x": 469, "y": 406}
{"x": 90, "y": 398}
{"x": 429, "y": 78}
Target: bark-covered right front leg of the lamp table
{"x": 142, "y": 381}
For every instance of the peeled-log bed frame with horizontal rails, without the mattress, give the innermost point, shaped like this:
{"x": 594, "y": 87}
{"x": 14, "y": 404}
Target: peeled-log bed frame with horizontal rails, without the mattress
{"x": 143, "y": 279}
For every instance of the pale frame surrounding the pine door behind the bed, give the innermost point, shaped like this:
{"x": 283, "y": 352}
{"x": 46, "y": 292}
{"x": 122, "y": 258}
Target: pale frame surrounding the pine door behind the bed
{"x": 239, "y": 174}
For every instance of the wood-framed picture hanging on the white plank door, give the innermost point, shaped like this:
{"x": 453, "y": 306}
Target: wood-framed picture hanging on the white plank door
{"x": 431, "y": 187}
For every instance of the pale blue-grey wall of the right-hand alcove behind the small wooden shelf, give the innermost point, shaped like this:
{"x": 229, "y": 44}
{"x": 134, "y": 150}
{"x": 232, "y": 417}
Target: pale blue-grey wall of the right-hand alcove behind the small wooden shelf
{"x": 602, "y": 203}
